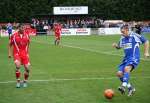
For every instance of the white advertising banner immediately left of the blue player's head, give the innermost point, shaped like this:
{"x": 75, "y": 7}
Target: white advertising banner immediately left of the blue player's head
{"x": 109, "y": 31}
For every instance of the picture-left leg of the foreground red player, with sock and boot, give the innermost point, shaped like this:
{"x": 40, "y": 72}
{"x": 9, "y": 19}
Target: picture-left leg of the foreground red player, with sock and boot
{"x": 18, "y": 64}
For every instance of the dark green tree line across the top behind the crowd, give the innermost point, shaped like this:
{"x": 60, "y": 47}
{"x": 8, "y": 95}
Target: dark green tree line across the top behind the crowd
{"x": 24, "y": 10}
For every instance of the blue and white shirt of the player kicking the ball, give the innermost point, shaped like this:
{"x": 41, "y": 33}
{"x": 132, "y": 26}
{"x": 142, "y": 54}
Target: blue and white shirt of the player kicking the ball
{"x": 130, "y": 44}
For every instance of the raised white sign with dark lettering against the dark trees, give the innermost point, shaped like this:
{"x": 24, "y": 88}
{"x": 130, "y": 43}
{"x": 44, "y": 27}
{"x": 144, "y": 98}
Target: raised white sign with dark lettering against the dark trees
{"x": 70, "y": 10}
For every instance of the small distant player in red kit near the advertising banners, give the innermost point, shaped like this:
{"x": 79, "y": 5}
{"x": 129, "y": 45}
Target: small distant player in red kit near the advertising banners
{"x": 57, "y": 30}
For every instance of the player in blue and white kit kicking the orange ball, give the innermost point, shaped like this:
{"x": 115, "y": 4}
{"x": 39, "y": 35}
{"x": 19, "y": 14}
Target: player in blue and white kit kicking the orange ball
{"x": 130, "y": 42}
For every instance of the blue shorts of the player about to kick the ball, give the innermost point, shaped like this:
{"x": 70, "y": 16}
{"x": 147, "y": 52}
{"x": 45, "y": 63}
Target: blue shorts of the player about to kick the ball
{"x": 133, "y": 62}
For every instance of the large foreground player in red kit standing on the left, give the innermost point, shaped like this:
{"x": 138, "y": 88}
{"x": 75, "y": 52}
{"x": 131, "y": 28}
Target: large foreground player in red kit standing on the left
{"x": 19, "y": 47}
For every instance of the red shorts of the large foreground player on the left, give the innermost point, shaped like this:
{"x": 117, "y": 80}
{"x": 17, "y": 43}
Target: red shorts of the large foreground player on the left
{"x": 24, "y": 59}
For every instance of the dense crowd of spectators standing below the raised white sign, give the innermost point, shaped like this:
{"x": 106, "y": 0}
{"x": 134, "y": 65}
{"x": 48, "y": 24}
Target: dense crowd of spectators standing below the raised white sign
{"x": 86, "y": 22}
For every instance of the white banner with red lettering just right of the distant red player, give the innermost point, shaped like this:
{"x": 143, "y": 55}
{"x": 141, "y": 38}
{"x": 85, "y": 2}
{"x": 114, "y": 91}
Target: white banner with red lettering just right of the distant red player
{"x": 78, "y": 31}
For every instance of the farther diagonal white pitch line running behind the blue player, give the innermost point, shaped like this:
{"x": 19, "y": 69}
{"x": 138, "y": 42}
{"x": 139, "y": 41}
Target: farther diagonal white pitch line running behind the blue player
{"x": 91, "y": 50}
